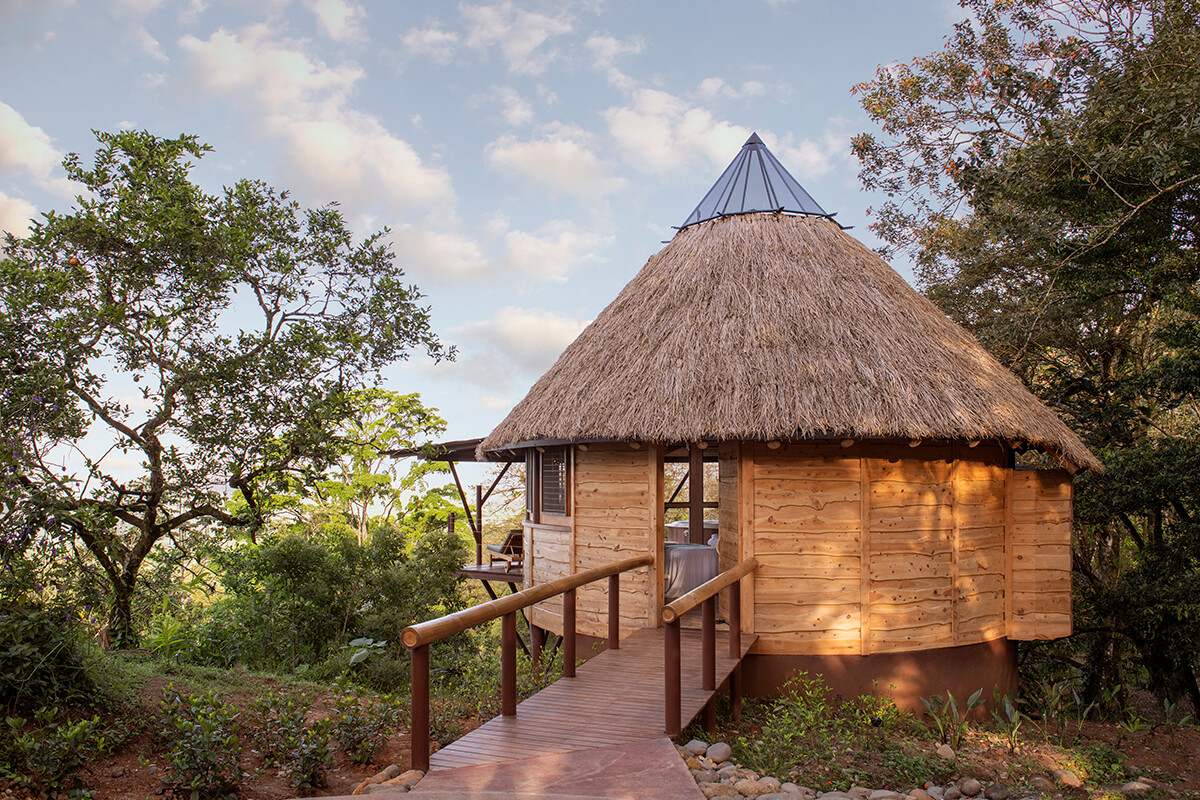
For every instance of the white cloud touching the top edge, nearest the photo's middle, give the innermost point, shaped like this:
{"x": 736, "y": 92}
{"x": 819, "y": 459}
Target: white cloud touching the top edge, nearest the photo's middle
{"x": 520, "y": 34}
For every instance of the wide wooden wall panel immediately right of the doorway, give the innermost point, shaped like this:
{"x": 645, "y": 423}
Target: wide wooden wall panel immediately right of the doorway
{"x": 807, "y": 521}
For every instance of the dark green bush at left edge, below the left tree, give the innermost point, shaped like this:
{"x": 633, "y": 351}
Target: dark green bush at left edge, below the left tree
{"x": 41, "y": 659}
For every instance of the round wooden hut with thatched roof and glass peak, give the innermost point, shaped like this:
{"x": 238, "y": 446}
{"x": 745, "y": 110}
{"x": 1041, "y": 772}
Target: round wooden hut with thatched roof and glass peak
{"x": 865, "y": 447}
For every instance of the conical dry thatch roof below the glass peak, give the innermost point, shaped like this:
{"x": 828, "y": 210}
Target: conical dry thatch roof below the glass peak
{"x": 771, "y": 327}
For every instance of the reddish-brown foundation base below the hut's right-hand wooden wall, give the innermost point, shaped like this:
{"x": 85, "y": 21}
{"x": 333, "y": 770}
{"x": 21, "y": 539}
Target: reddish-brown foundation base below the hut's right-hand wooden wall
{"x": 905, "y": 677}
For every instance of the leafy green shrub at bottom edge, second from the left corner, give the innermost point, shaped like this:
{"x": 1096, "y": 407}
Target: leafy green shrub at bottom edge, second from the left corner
{"x": 201, "y": 730}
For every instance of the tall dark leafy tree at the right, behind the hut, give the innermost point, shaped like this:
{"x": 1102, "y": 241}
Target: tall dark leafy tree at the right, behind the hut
{"x": 1043, "y": 170}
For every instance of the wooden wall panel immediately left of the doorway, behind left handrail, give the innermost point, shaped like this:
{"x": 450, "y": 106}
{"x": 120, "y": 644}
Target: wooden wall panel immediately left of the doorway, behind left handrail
{"x": 615, "y": 512}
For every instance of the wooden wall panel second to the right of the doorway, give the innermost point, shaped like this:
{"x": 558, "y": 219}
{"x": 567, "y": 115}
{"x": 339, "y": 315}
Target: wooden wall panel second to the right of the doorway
{"x": 911, "y": 548}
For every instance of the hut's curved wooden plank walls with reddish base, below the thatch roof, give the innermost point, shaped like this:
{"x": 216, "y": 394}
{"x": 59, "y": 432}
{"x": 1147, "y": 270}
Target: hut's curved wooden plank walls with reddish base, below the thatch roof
{"x": 881, "y": 563}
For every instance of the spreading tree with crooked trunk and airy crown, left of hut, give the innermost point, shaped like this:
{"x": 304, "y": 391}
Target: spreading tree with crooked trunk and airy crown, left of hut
{"x": 175, "y": 345}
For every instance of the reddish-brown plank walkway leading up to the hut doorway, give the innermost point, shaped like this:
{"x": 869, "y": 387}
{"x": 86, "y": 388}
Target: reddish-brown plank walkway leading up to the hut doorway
{"x": 616, "y": 699}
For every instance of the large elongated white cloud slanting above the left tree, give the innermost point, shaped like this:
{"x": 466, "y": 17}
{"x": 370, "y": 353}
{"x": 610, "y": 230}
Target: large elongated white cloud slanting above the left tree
{"x": 334, "y": 151}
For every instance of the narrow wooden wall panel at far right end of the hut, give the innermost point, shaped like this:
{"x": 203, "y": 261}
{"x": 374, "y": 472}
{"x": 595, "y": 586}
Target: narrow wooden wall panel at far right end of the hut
{"x": 1041, "y": 543}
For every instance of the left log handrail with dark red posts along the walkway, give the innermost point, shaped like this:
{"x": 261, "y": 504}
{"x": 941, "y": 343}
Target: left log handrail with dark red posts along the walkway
{"x": 419, "y": 637}
